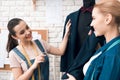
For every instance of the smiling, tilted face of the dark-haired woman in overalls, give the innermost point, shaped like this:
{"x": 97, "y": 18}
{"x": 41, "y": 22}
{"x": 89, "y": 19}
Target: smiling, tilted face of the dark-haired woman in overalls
{"x": 23, "y": 32}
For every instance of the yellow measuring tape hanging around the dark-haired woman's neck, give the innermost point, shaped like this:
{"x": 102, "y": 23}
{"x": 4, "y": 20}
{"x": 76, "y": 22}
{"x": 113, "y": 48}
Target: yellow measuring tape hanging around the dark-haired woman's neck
{"x": 28, "y": 59}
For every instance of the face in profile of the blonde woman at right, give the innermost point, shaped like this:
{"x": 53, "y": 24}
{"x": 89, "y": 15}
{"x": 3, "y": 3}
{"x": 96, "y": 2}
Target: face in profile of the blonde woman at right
{"x": 98, "y": 22}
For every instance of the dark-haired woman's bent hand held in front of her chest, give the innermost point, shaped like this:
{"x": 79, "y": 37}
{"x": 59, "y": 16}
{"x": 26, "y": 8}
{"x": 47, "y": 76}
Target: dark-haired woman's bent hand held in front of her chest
{"x": 40, "y": 58}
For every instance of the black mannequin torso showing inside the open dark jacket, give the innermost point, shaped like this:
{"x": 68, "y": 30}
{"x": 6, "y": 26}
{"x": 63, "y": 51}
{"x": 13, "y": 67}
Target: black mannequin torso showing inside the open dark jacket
{"x": 83, "y": 26}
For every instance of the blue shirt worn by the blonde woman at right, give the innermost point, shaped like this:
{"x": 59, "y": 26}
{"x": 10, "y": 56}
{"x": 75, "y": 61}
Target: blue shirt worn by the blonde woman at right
{"x": 107, "y": 65}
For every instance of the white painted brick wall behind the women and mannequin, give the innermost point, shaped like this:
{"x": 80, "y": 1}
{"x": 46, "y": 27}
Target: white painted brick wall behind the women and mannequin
{"x": 37, "y": 19}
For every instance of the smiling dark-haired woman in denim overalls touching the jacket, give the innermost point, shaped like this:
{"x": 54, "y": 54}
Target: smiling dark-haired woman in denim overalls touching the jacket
{"x": 28, "y": 58}
